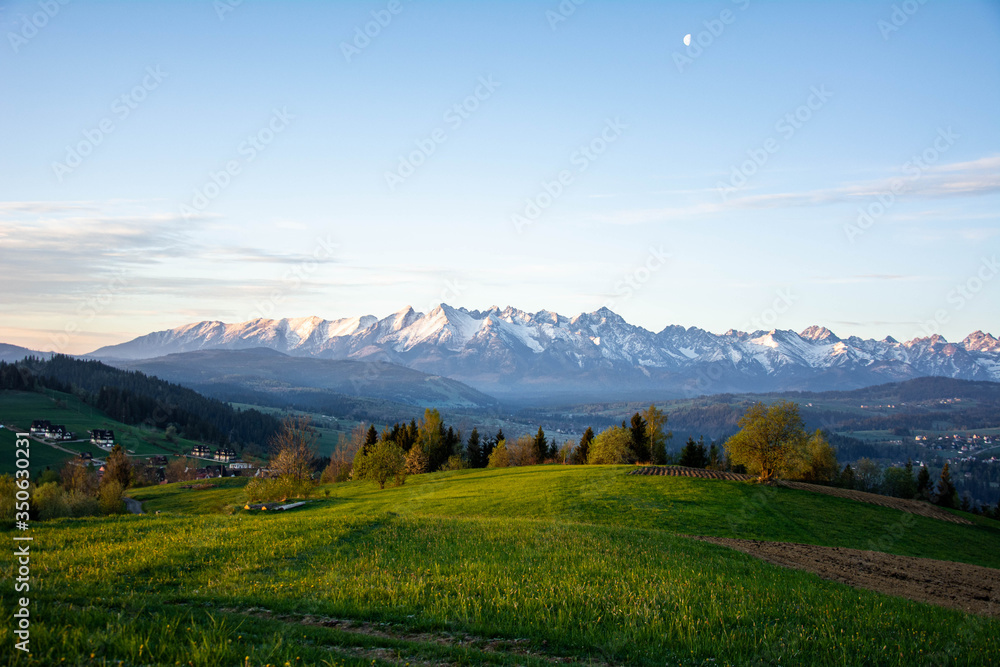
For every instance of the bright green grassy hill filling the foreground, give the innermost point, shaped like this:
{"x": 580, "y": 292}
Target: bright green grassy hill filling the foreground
{"x": 522, "y": 566}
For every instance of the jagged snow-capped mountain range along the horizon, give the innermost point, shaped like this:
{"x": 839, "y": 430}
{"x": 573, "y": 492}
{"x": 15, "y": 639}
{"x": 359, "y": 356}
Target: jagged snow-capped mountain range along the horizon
{"x": 512, "y": 353}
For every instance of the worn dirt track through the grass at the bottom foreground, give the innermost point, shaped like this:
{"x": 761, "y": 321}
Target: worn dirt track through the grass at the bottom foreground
{"x": 522, "y": 648}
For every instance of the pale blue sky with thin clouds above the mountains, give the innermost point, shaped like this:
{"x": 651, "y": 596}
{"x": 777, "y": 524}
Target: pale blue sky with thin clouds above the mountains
{"x": 662, "y": 212}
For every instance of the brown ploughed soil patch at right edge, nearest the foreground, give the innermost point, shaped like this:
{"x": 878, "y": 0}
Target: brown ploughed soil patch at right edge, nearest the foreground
{"x": 969, "y": 588}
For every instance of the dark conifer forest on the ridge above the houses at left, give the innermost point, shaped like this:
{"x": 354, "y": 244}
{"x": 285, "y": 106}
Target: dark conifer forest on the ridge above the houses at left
{"x": 134, "y": 398}
